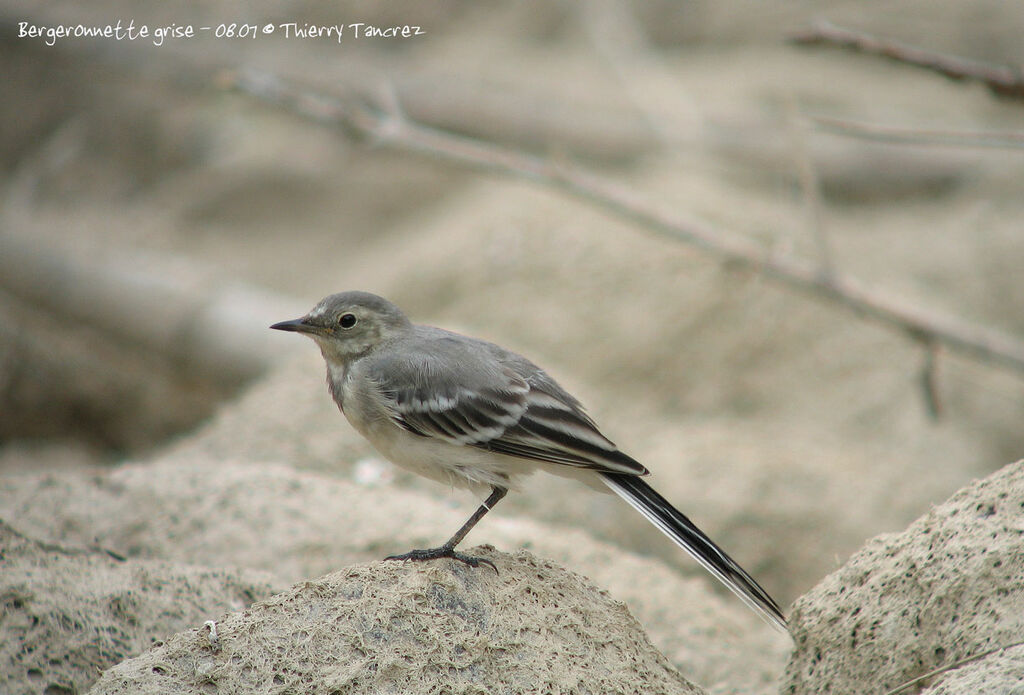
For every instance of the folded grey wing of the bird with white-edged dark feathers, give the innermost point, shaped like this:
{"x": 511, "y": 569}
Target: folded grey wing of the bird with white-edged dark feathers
{"x": 477, "y": 395}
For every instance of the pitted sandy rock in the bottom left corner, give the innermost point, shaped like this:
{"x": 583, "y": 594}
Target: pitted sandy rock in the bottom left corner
{"x": 68, "y": 614}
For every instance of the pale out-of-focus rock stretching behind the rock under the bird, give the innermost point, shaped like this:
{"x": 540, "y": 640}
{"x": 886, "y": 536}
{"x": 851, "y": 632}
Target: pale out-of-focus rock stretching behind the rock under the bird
{"x": 301, "y": 526}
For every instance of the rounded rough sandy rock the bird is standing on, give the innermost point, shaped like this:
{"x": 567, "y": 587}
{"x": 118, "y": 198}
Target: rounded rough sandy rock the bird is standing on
{"x": 392, "y": 628}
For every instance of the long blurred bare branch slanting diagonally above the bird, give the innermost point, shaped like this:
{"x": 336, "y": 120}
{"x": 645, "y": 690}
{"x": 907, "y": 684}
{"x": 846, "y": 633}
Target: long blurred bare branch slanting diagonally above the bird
{"x": 355, "y": 114}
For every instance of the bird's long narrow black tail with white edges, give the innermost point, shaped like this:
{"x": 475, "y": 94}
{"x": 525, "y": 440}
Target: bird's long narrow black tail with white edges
{"x": 674, "y": 525}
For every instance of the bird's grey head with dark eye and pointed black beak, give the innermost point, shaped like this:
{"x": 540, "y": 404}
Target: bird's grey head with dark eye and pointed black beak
{"x": 350, "y": 325}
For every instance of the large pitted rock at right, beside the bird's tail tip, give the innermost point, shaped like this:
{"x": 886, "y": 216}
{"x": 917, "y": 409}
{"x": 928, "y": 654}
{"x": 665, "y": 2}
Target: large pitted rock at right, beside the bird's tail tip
{"x": 951, "y": 587}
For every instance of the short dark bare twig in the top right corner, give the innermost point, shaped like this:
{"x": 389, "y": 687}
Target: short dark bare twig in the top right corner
{"x": 1004, "y": 81}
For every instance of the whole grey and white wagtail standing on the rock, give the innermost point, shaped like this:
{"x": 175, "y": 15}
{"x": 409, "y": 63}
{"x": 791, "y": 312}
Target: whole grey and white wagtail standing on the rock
{"x": 470, "y": 413}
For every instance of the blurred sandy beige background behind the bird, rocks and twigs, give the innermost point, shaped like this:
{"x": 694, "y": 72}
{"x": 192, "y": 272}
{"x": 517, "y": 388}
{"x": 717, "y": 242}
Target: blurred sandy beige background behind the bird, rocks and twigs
{"x": 788, "y": 427}
